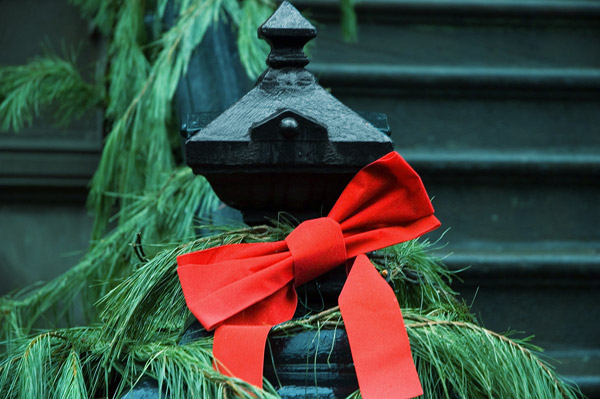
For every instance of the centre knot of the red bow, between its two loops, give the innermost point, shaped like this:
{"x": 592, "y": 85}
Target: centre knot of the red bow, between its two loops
{"x": 316, "y": 246}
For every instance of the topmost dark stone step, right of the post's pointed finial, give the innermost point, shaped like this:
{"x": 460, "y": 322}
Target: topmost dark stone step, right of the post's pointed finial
{"x": 536, "y": 33}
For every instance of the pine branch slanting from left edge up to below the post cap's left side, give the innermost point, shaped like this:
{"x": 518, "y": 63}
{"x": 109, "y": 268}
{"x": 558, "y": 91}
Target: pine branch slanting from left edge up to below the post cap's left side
{"x": 169, "y": 214}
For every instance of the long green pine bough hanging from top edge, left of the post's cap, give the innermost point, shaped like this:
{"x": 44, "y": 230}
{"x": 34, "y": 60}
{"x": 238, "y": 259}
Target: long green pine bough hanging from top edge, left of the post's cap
{"x": 138, "y": 147}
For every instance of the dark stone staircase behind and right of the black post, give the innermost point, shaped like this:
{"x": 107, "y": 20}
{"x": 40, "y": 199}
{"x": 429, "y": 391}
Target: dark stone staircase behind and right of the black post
{"x": 496, "y": 103}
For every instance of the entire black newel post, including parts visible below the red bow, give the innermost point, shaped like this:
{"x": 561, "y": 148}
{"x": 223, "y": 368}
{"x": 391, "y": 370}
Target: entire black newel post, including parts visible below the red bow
{"x": 288, "y": 145}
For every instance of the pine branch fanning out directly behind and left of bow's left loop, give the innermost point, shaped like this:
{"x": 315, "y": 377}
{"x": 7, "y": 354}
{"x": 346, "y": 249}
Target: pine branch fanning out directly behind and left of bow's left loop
{"x": 153, "y": 294}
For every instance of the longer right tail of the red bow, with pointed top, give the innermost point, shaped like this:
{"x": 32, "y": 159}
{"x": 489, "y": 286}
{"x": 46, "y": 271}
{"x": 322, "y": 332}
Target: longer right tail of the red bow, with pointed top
{"x": 377, "y": 335}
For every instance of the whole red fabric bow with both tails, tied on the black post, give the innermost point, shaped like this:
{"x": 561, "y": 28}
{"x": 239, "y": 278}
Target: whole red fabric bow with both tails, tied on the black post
{"x": 242, "y": 290}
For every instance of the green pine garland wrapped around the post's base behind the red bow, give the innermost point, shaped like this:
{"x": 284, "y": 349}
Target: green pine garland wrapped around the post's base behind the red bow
{"x": 145, "y": 316}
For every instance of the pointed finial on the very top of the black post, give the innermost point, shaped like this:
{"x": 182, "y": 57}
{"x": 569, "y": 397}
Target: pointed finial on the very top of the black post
{"x": 287, "y": 31}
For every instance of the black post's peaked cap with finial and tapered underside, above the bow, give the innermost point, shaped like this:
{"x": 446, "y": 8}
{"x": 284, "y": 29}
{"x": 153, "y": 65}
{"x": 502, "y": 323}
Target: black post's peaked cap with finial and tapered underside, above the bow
{"x": 287, "y": 145}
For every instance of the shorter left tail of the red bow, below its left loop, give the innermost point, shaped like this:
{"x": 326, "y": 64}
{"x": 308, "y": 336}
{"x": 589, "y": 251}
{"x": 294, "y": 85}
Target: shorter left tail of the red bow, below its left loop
{"x": 239, "y": 351}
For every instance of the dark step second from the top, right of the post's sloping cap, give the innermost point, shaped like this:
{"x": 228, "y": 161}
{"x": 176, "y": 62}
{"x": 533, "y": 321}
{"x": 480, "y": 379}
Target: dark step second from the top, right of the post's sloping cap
{"x": 427, "y": 117}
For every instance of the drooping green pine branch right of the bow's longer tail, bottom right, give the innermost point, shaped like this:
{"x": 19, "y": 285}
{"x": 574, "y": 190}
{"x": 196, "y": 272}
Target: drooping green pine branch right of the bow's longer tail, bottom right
{"x": 466, "y": 360}
